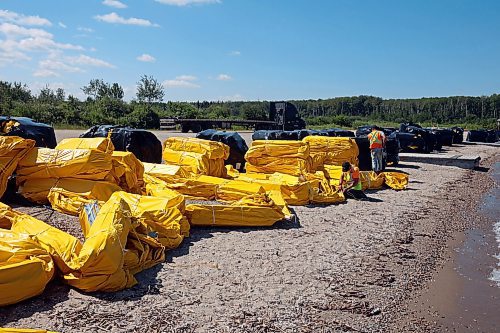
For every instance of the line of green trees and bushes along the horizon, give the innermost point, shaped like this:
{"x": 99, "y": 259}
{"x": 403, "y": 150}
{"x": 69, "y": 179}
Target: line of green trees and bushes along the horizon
{"x": 104, "y": 104}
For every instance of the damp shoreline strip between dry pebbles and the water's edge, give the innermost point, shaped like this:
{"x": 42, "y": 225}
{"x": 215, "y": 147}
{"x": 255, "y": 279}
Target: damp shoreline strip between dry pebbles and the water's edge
{"x": 458, "y": 295}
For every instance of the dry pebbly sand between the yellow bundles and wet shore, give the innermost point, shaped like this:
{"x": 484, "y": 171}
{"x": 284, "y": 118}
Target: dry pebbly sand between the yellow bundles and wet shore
{"x": 349, "y": 267}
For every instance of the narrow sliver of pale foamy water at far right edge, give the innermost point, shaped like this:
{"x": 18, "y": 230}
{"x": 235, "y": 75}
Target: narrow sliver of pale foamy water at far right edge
{"x": 492, "y": 208}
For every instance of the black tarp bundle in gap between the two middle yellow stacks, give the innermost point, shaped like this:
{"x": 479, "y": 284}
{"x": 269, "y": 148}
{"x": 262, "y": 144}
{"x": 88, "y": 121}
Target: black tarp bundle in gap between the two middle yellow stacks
{"x": 236, "y": 143}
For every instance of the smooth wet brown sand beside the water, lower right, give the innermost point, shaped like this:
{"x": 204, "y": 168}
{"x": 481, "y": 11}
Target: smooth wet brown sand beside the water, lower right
{"x": 460, "y": 296}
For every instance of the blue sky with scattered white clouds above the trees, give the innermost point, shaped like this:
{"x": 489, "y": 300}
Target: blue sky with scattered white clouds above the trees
{"x": 256, "y": 49}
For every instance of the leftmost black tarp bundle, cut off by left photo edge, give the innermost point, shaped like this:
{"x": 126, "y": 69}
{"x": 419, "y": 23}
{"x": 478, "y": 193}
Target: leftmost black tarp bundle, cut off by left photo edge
{"x": 26, "y": 128}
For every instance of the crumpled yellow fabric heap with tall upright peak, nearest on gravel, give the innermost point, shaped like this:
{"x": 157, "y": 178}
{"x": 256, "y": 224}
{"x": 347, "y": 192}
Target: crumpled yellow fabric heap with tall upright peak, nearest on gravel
{"x": 115, "y": 248}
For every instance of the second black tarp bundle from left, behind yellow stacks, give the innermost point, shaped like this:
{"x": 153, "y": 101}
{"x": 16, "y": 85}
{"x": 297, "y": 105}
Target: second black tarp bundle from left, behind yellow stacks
{"x": 143, "y": 144}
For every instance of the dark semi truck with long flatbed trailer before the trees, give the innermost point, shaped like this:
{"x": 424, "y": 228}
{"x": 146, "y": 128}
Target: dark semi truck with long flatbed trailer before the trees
{"x": 282, "y": 116}
